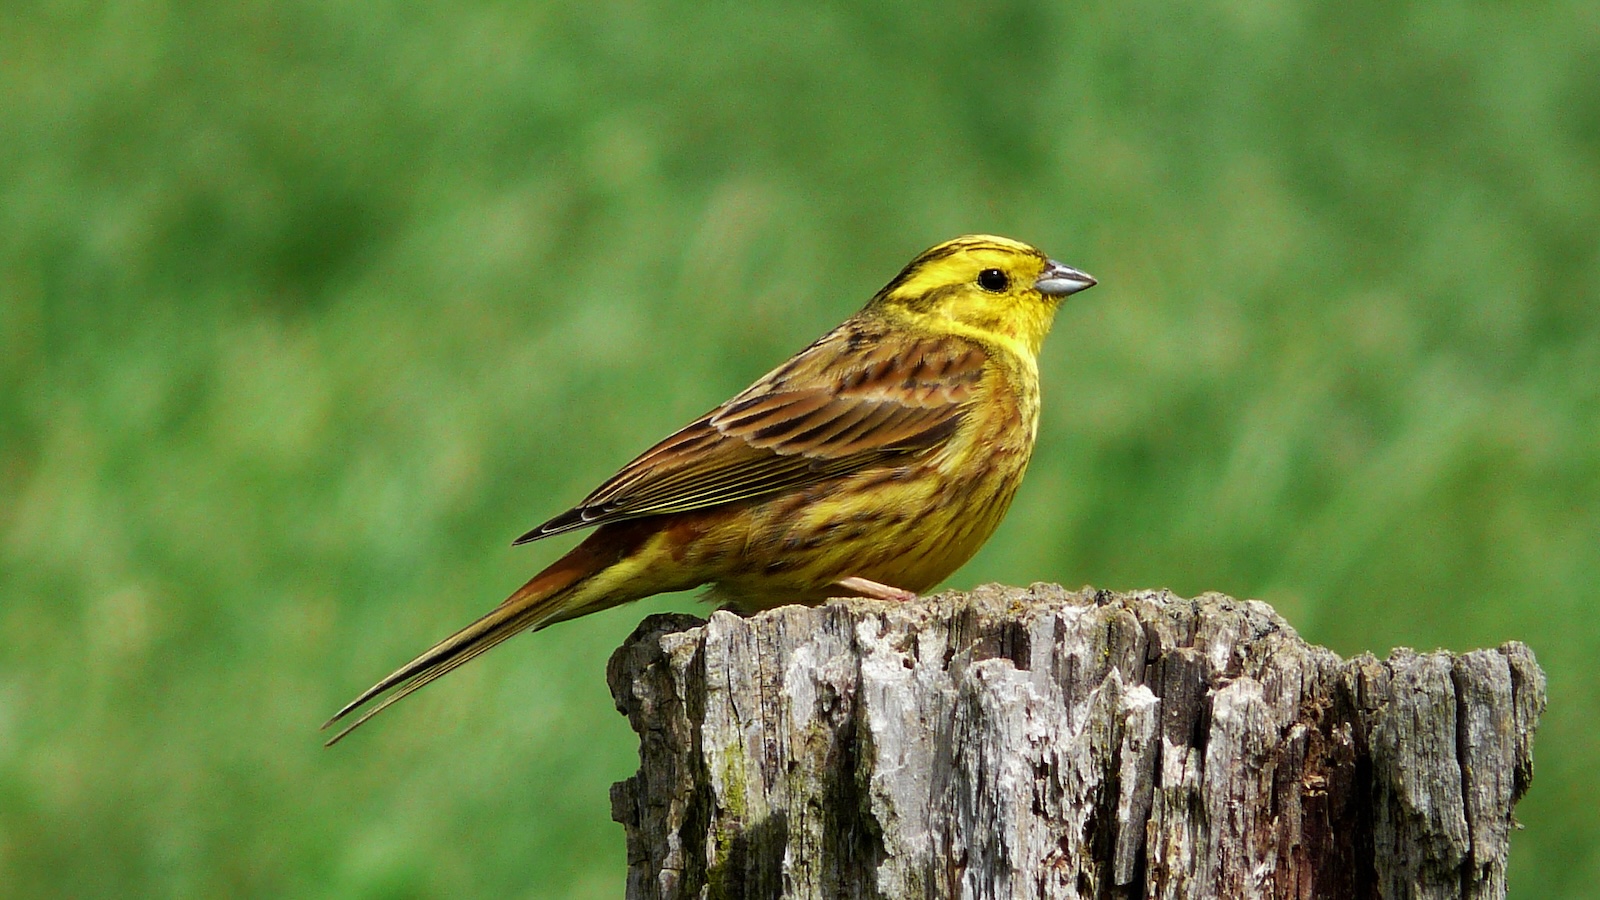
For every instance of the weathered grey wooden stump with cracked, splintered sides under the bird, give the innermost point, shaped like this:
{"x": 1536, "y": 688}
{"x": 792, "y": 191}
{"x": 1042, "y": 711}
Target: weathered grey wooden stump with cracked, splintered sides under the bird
{"x": 1052, "y": 744}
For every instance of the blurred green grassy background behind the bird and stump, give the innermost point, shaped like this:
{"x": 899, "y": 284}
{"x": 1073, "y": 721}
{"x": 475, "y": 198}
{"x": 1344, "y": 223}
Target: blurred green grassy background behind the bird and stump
{"x": 306, "y": 310}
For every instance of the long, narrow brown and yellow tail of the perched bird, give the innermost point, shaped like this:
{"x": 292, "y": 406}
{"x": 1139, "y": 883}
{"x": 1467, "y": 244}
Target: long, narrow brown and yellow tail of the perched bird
{"x": 551, "y": 597}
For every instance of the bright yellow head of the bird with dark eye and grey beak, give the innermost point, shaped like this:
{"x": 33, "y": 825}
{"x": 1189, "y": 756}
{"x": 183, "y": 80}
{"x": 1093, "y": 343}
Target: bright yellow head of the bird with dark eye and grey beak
{"x": 985, "y": 286}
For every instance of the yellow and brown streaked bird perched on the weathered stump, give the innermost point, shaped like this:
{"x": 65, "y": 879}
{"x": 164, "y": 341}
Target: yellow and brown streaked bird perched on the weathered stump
{"x": 873, "y": 464}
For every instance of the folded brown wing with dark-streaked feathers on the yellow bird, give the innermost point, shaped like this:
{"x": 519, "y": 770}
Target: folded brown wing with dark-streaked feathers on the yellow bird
{"x": 849, "y": 403}
